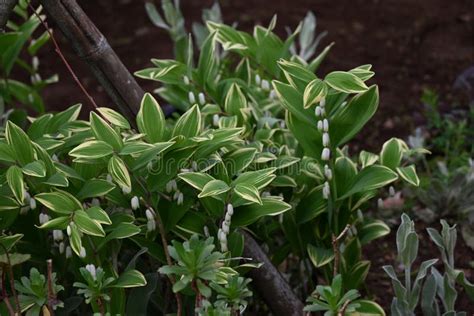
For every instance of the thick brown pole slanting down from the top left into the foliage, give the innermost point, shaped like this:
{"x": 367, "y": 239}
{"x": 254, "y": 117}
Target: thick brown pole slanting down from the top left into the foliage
{"x": 91, "y": 46}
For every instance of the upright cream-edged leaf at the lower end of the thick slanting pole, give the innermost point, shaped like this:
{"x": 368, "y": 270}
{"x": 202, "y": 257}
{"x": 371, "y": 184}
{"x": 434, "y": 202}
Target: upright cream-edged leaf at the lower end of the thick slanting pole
{"x": 150, "y": 119}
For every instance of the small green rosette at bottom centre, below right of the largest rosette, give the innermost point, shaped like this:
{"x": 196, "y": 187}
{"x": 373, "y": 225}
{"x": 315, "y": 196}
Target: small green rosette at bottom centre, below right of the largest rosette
{"x": 234, "y": 294}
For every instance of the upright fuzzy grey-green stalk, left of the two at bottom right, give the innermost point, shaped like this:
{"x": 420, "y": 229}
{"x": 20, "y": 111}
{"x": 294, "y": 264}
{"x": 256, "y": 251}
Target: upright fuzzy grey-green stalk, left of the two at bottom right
{"x": 407, "y": 294}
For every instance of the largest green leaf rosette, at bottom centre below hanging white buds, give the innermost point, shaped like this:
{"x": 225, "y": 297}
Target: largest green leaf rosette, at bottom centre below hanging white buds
{"x": 196, "y": 264}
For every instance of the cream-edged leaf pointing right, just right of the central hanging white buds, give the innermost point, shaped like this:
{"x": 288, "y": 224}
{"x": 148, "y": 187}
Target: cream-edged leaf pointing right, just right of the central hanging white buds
{"x": 247, "y": 214}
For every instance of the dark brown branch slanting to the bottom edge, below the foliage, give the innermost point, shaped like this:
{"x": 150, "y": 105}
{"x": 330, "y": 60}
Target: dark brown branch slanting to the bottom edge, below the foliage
{"x": 270, "y": 284}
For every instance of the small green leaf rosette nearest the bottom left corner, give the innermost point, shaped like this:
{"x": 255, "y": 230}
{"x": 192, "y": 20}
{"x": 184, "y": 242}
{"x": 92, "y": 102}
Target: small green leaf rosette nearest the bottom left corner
{"x": 33, "y": 293}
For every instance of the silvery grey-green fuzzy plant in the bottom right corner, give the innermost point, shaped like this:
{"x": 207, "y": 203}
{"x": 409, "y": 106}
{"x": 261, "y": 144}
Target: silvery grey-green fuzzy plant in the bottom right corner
{"x": 442, "y": 287}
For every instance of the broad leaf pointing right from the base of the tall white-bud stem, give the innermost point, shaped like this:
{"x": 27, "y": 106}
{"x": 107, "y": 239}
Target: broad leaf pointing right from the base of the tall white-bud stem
{"x": 370, "y": 178}
